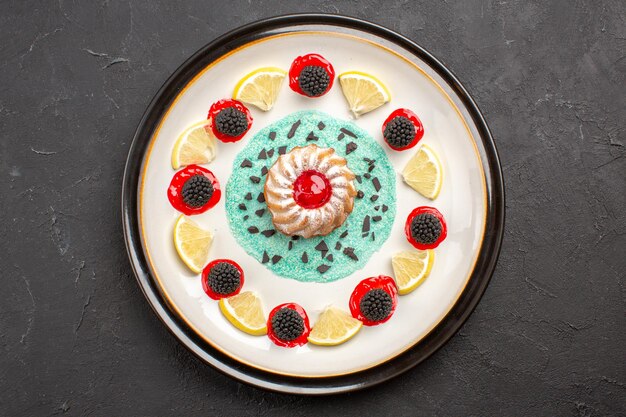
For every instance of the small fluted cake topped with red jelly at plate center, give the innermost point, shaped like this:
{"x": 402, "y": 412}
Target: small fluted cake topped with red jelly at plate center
{"x": 309, "y": 191}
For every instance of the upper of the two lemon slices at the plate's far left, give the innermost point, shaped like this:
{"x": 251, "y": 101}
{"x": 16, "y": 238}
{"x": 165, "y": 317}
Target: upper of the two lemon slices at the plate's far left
{"x": 196, "y": 145}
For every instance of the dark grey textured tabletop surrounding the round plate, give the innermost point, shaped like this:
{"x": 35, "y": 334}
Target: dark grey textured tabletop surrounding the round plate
{"x": 77, "y": 336}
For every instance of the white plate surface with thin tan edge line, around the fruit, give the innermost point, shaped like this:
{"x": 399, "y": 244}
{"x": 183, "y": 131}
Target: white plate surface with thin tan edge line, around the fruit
{"x": 450, "y": 129}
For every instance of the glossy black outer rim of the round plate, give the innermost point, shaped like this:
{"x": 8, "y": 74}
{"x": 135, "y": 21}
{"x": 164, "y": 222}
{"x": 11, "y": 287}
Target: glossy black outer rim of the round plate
{"x": 444, "y": 330}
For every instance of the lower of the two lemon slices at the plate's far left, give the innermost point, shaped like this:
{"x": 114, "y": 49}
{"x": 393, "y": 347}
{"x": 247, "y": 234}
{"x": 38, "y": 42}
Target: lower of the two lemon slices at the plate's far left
{"x": 192, "y": 243}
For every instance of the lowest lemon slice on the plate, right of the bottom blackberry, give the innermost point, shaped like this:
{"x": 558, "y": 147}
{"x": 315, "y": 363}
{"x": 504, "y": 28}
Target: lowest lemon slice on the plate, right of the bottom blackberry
{"x": 333, "y": 327}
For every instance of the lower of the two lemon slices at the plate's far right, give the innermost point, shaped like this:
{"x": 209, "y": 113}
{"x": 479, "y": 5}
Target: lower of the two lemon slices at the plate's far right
{"x": 411, "y": 268}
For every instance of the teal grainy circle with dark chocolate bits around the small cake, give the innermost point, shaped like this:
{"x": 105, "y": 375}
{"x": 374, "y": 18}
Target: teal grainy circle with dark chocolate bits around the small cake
{"x": 321, "y": 258}
